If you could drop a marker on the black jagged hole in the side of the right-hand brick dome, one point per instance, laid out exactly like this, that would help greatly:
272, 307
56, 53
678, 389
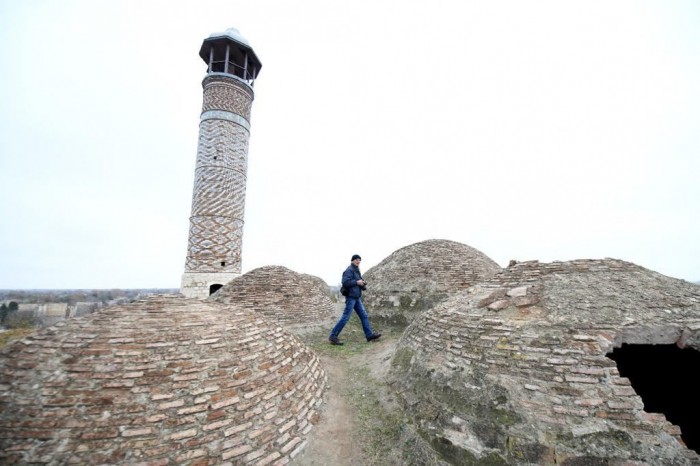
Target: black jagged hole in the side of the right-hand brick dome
663, 376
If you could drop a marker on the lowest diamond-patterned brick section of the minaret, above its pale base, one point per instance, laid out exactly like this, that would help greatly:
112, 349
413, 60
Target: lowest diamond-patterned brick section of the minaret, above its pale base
214, 240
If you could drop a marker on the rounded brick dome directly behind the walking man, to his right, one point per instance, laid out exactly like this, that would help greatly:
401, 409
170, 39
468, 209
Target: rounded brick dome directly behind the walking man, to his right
417, 277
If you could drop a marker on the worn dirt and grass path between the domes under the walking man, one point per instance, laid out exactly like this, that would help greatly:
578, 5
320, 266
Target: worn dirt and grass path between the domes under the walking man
361, 421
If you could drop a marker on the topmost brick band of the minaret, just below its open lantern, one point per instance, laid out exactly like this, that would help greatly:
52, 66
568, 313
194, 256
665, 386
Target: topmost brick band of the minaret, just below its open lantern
222, 93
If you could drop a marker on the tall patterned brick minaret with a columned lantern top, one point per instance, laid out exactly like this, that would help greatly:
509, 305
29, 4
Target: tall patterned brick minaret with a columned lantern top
218, 197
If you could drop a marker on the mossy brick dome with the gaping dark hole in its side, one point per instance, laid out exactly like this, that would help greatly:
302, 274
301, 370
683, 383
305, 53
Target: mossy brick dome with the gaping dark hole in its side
515, 370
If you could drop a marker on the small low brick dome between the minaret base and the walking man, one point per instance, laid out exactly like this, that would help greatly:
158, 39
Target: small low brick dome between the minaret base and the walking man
281, 295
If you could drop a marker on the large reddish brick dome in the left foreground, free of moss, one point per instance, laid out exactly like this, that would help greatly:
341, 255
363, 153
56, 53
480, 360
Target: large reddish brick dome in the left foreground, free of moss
166, 380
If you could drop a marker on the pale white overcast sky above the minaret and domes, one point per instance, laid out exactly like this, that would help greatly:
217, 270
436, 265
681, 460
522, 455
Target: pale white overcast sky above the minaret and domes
547, 130
